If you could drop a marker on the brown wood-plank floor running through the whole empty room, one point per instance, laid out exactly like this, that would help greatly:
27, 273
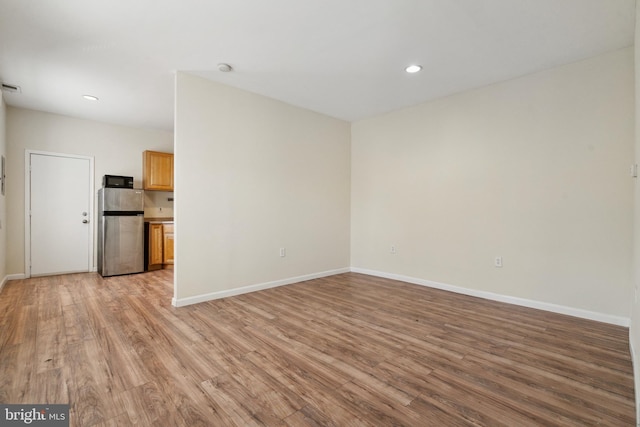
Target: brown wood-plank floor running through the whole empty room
344, 350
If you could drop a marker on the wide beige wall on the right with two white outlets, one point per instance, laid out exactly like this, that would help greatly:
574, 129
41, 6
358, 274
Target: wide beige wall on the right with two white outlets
534, 170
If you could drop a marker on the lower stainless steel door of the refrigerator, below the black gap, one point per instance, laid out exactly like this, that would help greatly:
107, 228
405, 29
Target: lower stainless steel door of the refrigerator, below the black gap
122, 245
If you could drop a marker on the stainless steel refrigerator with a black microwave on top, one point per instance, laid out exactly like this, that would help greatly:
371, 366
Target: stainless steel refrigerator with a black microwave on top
120, 231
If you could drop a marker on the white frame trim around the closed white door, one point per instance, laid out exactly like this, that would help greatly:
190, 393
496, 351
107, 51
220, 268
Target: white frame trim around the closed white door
27, 205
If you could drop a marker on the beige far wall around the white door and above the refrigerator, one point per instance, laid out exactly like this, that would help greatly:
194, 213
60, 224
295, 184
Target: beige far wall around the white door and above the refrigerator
116, 150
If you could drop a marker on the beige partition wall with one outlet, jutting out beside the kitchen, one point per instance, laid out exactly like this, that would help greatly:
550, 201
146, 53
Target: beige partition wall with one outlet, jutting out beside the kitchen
254, 175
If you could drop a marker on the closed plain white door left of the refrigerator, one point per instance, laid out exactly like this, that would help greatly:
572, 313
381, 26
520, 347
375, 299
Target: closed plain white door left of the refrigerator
60, 221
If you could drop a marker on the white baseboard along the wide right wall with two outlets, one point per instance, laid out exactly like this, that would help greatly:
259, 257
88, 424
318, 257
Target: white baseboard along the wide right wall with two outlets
555, 308
